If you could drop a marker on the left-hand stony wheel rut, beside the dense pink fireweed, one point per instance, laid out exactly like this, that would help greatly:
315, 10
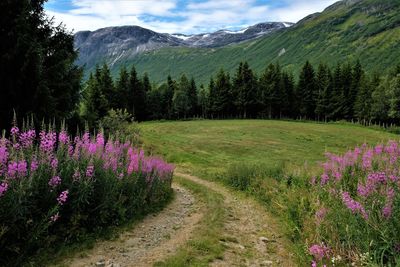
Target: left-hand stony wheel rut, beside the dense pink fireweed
152, 240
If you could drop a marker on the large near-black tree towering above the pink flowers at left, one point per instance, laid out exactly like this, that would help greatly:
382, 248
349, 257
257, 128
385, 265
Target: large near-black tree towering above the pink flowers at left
38, 74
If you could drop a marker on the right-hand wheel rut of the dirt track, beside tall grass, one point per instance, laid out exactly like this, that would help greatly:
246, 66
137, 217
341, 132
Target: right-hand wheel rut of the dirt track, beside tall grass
252, 237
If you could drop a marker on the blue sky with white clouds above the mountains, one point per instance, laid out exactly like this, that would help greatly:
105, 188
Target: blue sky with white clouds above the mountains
179, 16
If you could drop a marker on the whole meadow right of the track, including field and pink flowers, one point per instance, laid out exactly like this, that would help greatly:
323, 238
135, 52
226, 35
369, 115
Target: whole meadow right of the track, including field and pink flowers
293, 170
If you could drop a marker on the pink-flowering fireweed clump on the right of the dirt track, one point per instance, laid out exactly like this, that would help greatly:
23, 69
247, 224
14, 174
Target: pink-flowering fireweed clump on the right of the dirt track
358, 206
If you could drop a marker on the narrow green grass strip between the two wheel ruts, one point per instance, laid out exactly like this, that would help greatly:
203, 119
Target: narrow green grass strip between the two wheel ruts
204, 247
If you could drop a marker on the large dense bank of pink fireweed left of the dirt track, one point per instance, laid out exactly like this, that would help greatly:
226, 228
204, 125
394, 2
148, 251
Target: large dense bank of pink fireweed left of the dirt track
56, 191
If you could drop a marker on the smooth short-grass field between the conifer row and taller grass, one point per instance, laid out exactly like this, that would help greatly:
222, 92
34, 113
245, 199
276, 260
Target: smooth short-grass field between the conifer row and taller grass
206, 148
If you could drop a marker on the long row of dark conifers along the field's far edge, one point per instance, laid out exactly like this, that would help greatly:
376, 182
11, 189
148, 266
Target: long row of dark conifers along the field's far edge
322, 93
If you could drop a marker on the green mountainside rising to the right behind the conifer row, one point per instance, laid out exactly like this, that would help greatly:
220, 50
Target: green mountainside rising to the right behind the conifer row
368, 30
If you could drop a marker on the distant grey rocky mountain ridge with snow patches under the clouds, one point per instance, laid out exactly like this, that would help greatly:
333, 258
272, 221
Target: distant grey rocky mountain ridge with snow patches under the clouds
116, 44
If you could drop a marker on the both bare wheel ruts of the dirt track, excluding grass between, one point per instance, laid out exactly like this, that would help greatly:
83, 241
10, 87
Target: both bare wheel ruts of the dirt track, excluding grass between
250, 234
